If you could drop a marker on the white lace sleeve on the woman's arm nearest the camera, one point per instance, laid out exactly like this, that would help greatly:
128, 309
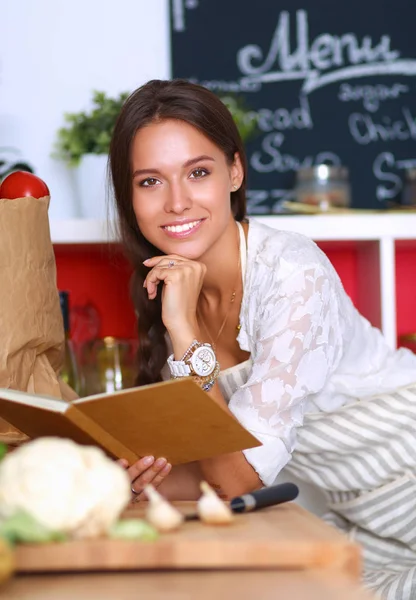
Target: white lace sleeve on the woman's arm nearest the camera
296, 345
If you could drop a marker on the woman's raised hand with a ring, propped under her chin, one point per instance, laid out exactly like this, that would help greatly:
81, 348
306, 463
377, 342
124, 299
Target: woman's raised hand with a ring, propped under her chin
182, 281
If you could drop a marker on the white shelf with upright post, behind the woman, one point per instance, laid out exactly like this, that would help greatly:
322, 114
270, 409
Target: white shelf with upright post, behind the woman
375, 234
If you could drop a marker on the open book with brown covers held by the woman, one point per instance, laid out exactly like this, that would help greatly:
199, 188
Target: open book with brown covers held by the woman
174, 419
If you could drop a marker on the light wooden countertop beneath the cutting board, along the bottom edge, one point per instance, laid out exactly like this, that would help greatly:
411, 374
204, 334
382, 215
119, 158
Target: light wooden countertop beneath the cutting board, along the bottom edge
200, 585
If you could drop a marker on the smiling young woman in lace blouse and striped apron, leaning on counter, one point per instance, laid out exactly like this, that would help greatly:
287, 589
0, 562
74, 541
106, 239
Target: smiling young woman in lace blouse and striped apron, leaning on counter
288, 354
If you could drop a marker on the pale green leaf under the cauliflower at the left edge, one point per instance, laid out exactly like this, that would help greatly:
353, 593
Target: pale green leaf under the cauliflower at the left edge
22, 528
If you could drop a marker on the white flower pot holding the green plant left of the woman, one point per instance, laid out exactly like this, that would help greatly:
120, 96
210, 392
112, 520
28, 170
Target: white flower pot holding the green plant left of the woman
93, 196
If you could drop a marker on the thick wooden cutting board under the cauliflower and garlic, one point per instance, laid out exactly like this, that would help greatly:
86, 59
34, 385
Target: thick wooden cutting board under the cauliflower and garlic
285, 537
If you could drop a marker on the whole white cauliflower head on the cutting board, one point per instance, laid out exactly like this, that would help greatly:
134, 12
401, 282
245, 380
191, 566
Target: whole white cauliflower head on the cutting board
65, 486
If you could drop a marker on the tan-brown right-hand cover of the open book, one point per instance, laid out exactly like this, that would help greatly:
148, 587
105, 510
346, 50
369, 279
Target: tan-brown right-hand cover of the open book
173, 419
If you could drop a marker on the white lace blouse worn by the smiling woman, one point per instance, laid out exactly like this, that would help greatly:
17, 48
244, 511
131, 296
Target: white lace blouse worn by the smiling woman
310, 348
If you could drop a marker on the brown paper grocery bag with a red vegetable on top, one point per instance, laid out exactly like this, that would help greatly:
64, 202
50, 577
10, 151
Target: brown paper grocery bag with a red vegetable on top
31, 326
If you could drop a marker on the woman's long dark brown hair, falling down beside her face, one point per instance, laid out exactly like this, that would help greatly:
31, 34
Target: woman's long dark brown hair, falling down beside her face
156, 101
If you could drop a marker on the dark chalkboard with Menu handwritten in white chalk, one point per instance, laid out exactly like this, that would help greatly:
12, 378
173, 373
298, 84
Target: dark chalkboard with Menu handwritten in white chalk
331, 82
